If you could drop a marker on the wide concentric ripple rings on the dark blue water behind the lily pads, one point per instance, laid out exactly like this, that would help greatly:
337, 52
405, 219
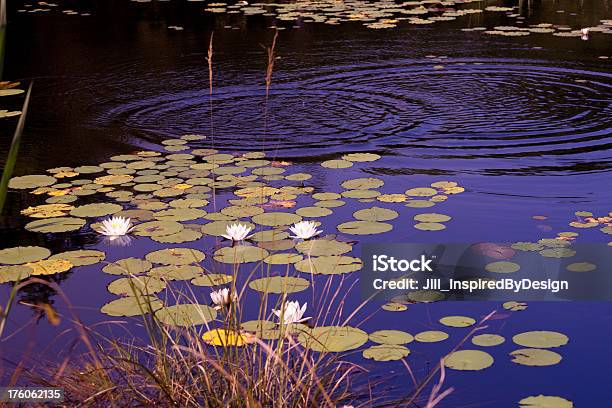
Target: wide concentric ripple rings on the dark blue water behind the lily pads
468, 113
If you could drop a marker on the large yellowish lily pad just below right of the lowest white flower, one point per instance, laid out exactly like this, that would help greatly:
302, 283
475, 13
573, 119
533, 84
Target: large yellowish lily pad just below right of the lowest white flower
333, 338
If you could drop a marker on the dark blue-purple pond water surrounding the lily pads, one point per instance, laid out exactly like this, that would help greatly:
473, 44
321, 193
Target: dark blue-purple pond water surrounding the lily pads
521, 122
